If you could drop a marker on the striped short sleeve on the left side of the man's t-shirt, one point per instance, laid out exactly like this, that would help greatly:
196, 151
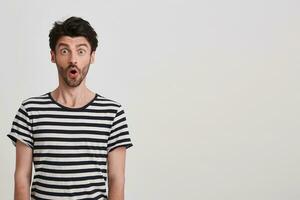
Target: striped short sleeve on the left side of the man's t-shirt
21, 128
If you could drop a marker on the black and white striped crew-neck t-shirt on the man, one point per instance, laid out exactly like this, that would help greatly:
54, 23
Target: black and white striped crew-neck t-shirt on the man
70, 145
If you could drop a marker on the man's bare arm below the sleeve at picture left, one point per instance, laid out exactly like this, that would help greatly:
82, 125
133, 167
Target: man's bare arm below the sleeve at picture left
23, 171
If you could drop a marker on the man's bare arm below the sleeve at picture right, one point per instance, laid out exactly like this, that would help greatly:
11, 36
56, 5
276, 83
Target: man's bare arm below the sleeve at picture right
116, 173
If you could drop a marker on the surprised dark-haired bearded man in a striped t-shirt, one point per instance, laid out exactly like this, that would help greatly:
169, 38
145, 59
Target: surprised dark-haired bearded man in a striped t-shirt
75, 138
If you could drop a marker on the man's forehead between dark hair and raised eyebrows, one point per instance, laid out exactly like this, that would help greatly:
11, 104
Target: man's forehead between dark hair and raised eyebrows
72, 41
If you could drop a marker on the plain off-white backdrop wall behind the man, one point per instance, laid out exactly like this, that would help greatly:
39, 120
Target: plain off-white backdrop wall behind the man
210, 88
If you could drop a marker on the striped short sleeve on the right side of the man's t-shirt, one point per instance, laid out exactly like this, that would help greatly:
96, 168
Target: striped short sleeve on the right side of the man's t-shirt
119, 134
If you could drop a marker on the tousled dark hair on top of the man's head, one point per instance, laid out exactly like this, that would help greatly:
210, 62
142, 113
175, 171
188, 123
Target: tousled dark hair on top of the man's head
73, 27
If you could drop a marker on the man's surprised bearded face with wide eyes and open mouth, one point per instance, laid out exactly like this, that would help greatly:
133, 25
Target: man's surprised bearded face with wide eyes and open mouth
72, 57
